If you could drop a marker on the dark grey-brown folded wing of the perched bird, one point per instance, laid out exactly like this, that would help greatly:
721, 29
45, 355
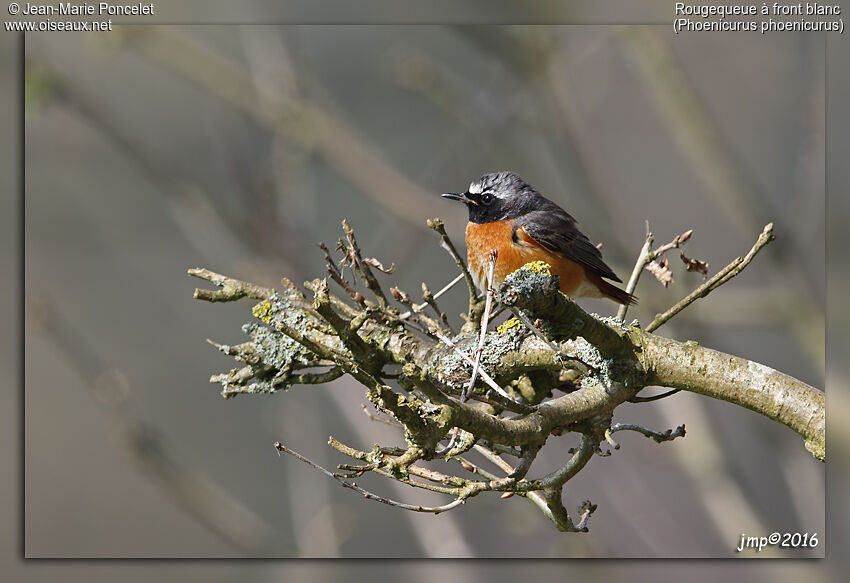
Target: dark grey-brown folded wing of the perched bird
556, 230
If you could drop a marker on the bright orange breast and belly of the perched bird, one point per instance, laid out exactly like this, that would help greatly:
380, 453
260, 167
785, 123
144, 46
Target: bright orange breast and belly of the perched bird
498, 235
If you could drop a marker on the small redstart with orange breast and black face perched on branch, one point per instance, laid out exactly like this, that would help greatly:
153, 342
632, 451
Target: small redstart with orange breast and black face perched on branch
508, 215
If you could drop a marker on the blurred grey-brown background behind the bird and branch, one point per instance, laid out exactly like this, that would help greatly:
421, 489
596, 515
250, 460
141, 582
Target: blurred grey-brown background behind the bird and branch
154, 149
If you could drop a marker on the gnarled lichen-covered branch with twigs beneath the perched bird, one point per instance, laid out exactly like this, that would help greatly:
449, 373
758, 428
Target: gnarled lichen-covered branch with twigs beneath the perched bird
556, 370
